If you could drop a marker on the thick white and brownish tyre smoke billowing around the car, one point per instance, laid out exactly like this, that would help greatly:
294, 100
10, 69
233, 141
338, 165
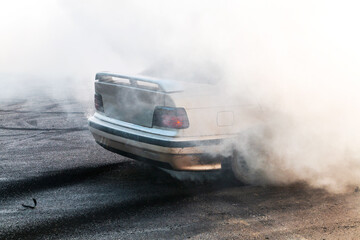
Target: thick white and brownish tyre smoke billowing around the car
298, 59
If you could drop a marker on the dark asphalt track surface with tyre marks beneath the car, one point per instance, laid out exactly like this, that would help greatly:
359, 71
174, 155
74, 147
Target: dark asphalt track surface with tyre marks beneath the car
85, 192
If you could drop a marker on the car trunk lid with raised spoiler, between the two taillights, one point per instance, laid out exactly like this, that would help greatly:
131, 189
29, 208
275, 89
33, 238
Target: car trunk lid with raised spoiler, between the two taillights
133, 99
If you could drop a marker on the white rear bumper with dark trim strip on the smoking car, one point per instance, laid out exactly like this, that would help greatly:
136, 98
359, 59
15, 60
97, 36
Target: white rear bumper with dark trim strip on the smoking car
187, 154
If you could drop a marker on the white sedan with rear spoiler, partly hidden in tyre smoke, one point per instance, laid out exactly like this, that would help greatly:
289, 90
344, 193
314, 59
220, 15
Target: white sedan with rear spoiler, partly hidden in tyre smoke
185, 126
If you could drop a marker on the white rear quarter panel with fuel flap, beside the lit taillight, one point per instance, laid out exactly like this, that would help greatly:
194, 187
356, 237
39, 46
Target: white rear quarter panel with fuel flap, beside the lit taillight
214, 114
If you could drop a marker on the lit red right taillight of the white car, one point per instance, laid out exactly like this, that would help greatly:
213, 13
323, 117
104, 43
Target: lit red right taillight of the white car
170, 117
